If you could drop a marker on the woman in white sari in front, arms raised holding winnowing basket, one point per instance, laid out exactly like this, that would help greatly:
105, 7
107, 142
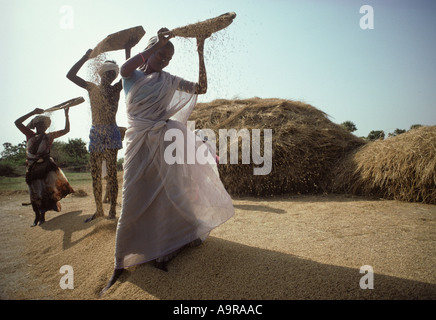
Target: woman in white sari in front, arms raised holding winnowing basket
169, 201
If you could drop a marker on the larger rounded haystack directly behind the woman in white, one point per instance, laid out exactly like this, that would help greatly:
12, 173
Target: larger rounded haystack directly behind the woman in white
305, 144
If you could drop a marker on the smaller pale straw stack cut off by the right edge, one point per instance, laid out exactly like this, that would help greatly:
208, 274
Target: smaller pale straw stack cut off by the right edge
400, 168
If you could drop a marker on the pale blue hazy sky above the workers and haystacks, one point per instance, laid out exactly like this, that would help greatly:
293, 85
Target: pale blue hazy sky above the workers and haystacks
313, 51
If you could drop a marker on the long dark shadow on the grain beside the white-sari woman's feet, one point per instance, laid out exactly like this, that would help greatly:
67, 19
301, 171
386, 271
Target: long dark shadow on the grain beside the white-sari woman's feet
243, 272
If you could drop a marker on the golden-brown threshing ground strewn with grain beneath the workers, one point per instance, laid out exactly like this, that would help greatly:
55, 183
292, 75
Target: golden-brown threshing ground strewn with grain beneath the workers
288, 247
